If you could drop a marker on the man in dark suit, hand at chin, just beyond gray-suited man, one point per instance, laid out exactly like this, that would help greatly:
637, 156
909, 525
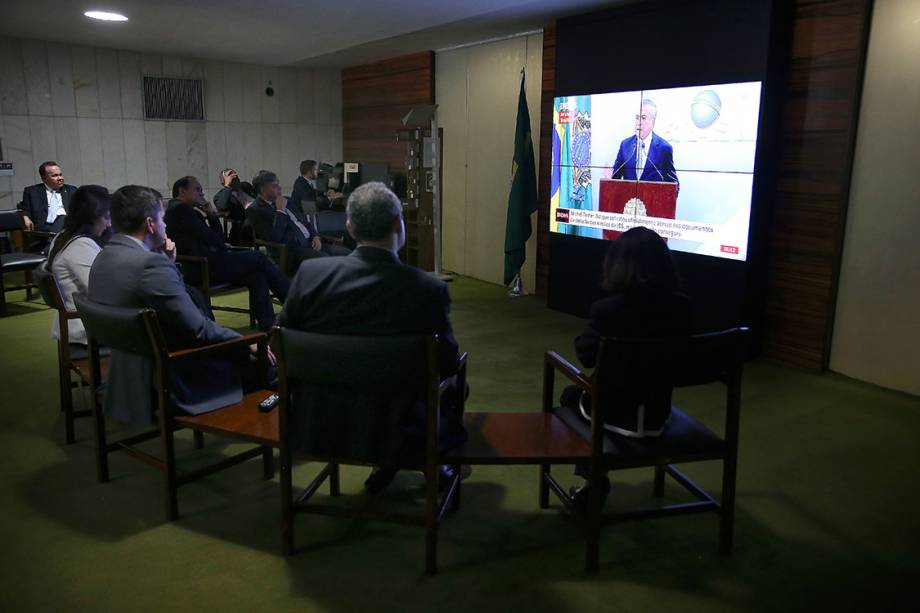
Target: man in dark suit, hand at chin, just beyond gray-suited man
192, 224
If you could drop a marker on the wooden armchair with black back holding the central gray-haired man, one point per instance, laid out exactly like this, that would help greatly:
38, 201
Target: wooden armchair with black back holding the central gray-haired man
369, 373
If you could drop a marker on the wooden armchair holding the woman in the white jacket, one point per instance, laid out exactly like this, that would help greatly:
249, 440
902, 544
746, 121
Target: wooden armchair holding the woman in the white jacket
73, 359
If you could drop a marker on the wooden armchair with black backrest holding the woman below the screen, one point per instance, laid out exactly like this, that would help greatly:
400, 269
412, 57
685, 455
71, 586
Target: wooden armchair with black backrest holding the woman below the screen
642, 368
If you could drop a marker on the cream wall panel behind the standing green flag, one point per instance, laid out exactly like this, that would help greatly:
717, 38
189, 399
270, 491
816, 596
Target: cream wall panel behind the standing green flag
477, 95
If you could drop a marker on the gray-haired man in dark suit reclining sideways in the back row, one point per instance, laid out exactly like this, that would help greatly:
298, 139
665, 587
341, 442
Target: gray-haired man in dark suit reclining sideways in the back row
274, 221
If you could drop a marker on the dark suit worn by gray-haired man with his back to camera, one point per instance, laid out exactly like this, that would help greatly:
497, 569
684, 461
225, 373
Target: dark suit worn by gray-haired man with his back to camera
371, 293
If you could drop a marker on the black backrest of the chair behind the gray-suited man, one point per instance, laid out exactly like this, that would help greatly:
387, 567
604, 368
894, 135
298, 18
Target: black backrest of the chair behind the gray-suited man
120, 328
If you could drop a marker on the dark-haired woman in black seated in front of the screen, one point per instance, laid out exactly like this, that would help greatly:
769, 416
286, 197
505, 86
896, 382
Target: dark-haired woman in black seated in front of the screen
645, 301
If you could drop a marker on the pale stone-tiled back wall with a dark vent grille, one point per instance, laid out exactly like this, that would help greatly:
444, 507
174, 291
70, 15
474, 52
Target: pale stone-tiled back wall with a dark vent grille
82, 107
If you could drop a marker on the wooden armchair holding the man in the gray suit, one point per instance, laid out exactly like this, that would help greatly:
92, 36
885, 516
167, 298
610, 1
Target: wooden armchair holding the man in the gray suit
137, 332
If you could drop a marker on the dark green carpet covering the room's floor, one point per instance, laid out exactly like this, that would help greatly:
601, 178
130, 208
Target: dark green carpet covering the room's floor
826, 487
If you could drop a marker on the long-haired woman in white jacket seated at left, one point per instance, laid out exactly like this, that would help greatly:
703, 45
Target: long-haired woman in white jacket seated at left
75, 248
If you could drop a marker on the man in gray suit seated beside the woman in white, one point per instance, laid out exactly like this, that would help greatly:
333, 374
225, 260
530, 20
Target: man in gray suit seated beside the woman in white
137, 269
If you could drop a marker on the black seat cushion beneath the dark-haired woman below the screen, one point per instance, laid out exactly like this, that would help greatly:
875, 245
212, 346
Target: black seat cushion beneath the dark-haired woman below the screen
685, 439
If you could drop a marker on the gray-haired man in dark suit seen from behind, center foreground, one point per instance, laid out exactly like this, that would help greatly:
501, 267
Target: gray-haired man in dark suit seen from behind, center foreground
371, 292
